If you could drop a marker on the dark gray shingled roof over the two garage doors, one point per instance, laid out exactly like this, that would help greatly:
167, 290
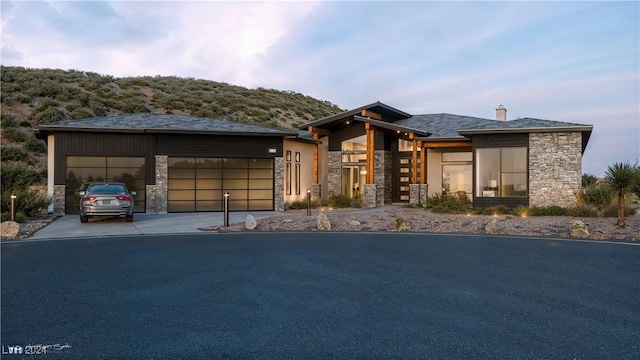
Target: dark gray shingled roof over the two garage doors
155, 123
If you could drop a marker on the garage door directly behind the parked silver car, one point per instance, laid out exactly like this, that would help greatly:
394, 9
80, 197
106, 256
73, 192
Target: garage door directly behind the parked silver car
82, 170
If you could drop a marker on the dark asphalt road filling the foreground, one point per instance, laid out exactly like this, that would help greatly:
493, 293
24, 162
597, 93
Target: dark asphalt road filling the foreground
321, 296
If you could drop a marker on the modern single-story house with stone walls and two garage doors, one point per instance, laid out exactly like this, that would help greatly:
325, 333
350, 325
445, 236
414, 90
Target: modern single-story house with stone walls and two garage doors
375, 152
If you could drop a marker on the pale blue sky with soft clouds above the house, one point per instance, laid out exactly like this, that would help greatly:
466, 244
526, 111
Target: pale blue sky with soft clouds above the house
567, 61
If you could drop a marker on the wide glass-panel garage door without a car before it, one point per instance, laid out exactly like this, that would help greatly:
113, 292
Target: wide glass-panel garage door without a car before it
197, 184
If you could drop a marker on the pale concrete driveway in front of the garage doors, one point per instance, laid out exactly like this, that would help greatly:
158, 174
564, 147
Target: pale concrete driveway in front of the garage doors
69, 226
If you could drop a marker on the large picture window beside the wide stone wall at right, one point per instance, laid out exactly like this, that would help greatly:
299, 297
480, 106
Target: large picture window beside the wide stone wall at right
501, 172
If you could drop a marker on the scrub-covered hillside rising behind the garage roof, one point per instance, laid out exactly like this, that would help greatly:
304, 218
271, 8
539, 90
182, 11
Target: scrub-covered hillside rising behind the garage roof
31, 97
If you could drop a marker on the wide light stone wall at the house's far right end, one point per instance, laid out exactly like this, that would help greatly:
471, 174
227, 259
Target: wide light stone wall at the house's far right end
555, 168
